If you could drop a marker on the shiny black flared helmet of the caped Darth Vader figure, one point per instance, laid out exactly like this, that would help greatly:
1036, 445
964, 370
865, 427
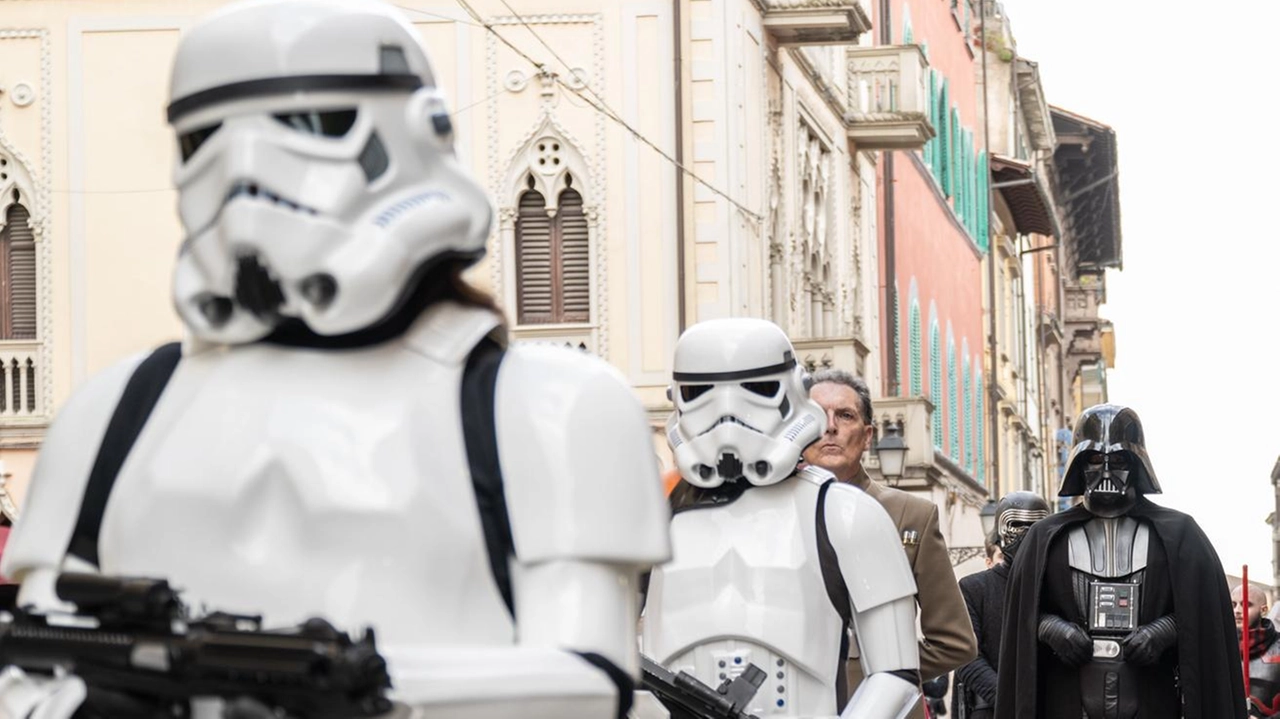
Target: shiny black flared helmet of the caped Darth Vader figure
1109, 462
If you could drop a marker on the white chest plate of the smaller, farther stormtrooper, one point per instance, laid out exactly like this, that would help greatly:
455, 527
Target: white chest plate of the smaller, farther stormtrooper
746, 588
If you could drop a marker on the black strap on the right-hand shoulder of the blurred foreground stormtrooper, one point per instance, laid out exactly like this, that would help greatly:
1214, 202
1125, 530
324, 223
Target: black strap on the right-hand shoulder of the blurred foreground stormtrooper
481, 434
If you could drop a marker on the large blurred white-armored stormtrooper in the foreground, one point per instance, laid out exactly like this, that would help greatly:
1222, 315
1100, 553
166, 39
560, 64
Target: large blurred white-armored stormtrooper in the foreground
346, 433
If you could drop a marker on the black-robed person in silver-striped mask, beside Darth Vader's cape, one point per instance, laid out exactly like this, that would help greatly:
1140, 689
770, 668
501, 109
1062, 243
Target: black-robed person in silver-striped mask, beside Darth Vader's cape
975, 695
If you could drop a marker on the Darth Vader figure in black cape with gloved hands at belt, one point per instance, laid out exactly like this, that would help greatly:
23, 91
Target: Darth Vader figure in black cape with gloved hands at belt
1118, 608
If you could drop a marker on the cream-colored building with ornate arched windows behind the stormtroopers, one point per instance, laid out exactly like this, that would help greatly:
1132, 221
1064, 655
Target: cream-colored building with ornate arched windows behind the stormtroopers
574, 115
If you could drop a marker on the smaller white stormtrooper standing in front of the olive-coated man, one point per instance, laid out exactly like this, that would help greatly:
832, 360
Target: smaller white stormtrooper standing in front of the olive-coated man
774, 566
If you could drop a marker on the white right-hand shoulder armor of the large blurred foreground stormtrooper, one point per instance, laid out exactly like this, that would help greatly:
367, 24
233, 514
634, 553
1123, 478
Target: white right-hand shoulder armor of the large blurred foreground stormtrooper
580, 475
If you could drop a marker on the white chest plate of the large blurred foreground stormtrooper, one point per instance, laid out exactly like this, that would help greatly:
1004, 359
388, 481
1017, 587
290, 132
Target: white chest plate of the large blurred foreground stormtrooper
300, 483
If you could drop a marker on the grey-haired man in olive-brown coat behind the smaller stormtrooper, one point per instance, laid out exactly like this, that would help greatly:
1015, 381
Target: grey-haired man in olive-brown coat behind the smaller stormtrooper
949, 642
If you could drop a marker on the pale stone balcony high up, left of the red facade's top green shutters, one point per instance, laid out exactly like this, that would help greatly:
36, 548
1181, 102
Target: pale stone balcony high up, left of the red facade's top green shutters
889, 99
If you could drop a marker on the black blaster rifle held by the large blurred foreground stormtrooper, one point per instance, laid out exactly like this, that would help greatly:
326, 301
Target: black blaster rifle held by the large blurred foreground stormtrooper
141, 657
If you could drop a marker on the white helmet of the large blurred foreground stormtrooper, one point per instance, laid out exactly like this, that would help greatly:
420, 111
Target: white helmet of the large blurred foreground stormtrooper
317, 177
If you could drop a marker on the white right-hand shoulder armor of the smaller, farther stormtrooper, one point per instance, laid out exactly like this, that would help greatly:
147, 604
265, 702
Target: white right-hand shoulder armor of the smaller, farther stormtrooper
868, 548
